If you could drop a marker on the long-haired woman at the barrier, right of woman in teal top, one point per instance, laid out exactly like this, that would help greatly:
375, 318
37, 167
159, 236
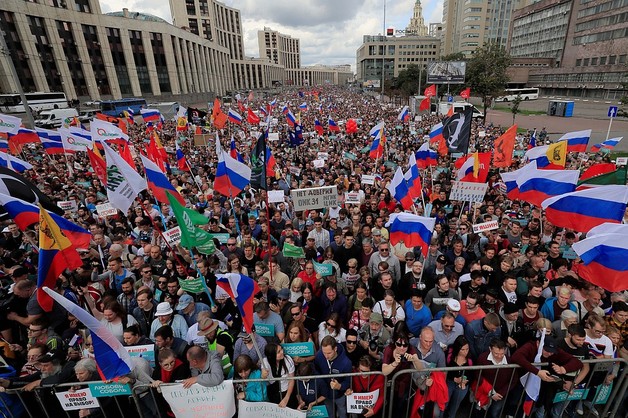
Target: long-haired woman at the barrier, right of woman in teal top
277, 364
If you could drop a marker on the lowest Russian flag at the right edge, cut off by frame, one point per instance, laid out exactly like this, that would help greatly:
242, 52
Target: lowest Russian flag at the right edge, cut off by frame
604, 257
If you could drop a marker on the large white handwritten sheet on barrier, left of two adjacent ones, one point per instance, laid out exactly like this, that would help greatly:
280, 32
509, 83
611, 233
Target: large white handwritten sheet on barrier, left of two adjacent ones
199, 401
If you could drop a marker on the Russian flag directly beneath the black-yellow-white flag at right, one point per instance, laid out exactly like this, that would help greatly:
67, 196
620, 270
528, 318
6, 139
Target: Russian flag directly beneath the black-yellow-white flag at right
537, 185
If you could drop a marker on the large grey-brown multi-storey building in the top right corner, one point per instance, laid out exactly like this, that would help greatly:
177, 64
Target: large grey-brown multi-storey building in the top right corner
590, 50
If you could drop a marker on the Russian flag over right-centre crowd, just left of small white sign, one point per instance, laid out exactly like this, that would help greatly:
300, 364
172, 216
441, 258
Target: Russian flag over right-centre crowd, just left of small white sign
413, 230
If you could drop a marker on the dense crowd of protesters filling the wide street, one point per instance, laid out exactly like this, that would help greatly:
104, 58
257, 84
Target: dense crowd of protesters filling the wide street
485, 298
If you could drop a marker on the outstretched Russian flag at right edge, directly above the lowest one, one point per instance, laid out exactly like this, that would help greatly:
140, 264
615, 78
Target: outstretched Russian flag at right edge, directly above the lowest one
585, 209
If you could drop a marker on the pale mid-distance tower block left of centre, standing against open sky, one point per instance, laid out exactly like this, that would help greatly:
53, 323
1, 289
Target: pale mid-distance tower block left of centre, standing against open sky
279, 49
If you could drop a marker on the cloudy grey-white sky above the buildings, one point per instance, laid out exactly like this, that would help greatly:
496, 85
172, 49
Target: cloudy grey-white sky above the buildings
330, 30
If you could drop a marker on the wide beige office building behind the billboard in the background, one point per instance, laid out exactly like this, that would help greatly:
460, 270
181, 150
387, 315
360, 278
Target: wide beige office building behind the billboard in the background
392, 54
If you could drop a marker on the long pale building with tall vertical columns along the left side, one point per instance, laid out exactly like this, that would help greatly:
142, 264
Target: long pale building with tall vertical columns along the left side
71, 46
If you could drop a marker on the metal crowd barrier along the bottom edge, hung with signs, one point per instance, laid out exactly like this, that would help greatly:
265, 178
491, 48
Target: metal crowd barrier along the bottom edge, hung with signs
407, 393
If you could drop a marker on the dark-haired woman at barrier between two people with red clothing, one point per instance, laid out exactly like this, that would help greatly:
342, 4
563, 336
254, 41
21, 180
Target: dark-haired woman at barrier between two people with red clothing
458, 358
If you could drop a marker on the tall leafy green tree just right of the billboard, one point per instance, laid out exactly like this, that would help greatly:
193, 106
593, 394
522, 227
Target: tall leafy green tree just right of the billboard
486, 72
